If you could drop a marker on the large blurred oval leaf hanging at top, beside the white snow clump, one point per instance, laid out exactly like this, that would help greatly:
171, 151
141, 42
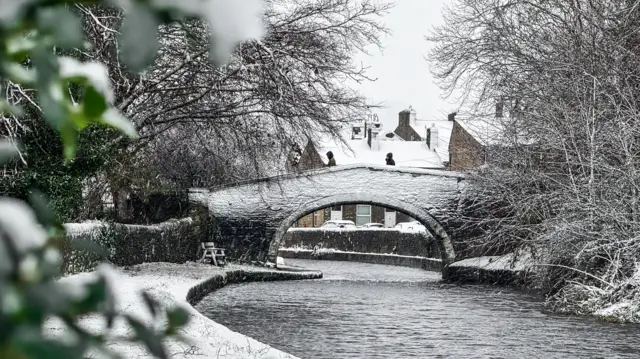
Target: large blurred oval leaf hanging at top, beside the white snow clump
139, 39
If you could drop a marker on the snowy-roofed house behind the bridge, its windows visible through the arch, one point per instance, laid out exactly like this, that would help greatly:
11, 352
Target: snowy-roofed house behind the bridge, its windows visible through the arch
365, 142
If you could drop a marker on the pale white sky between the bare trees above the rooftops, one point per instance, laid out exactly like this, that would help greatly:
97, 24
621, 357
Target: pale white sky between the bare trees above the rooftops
402, 73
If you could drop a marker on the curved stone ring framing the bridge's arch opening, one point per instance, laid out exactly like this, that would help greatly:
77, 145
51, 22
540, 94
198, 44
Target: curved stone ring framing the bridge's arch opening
433, 226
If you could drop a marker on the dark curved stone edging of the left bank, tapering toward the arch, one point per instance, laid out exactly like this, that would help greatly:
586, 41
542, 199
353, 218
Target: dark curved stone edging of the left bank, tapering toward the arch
220, 280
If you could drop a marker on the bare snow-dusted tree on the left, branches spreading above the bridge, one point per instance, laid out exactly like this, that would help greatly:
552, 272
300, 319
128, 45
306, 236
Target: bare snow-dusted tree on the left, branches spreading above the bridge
201, 124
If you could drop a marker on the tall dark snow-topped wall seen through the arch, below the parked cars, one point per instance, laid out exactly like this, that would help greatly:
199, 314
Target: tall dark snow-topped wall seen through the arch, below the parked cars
364, 241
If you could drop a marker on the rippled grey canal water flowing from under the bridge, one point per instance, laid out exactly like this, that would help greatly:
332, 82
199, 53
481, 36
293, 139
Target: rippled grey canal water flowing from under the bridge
373, 311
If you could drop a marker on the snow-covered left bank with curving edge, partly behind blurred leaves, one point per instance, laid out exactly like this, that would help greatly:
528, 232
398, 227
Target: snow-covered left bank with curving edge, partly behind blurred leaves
170, 284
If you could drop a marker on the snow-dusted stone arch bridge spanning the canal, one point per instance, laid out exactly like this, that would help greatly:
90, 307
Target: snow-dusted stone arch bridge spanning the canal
252, 217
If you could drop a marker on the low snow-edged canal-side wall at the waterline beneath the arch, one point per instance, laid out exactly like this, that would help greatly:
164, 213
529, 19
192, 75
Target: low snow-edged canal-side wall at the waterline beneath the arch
431, 264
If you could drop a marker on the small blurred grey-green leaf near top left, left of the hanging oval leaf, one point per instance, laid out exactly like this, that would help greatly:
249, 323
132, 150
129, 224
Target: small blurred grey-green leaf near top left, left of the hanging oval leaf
65, 26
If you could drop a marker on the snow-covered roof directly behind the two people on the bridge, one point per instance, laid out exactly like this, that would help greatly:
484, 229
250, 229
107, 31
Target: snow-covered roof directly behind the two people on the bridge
405, 153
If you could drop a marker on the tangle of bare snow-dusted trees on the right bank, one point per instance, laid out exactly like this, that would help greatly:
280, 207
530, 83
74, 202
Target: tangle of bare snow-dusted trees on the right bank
568, 72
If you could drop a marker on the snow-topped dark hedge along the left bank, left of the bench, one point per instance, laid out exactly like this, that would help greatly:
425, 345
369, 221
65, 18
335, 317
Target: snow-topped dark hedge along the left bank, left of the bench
174, 241
